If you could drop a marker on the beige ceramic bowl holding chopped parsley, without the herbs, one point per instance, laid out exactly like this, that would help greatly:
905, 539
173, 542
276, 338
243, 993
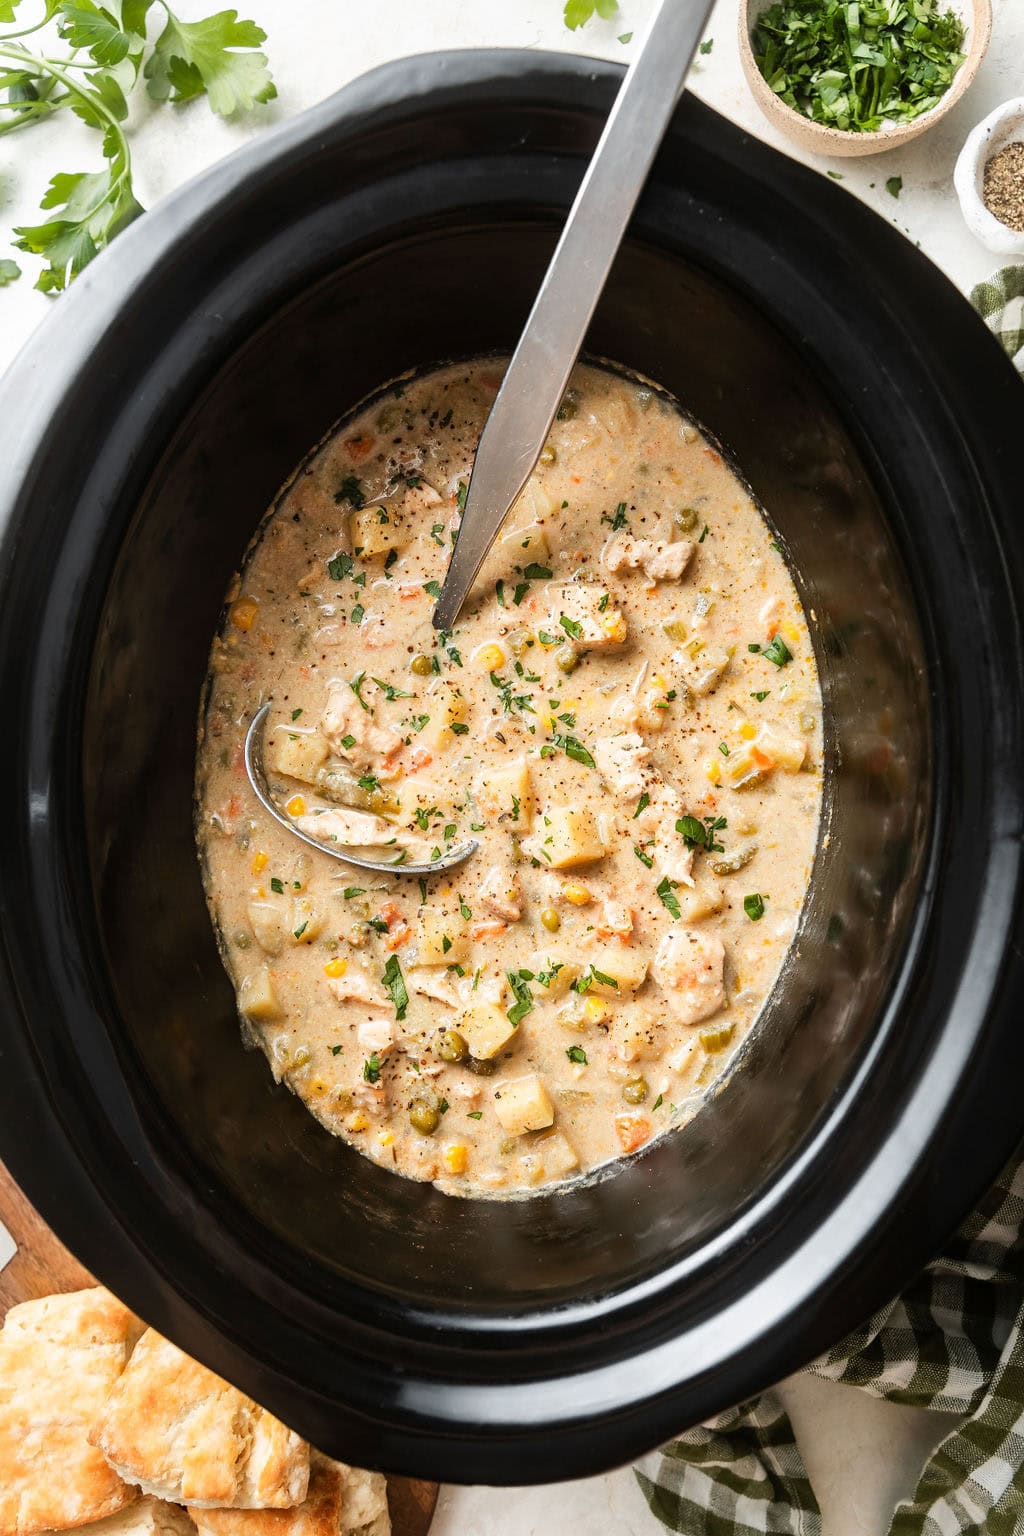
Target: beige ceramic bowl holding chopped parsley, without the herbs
822, 141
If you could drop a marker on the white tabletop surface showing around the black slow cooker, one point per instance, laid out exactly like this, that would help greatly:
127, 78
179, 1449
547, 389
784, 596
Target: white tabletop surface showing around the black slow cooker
862, 1455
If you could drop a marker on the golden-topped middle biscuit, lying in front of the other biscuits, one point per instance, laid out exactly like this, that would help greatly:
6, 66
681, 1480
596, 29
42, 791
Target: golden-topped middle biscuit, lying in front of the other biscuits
185, 1435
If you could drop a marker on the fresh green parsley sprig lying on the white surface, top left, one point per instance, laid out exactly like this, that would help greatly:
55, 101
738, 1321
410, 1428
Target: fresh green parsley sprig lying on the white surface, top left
217, 58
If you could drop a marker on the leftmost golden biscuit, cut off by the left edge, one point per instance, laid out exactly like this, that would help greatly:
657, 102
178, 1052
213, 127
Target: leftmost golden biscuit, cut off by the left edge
59, 1360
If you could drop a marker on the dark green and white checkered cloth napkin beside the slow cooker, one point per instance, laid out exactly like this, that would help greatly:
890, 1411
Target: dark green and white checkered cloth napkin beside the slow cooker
954, 1342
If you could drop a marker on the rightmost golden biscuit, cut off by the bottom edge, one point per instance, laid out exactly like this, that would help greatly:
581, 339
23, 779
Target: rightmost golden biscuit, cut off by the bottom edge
342, 1501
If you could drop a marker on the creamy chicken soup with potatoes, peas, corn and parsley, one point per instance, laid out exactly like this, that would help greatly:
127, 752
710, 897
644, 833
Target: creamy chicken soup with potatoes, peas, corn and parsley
627, 720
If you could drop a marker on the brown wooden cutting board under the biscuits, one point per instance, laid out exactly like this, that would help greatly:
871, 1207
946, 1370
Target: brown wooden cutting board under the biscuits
44, 1266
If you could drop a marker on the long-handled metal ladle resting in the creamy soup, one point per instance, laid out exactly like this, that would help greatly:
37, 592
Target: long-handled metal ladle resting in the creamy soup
535, 383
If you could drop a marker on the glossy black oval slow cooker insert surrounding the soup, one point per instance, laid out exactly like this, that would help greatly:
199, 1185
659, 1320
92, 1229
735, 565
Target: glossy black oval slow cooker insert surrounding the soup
406, 222
